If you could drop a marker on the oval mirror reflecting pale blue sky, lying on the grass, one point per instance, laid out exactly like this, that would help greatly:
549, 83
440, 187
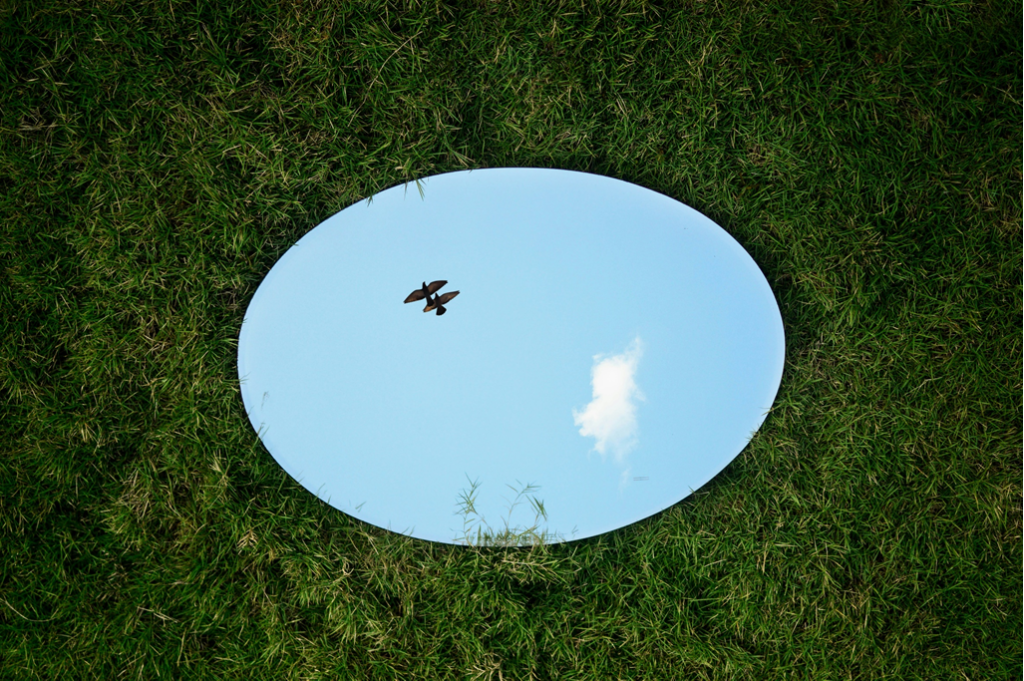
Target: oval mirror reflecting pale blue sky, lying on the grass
610, 352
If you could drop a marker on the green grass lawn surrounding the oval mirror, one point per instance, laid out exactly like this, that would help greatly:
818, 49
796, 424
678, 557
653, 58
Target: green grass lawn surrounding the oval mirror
157, 158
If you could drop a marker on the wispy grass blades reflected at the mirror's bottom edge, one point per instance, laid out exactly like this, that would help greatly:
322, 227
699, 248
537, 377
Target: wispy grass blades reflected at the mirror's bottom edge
478, 532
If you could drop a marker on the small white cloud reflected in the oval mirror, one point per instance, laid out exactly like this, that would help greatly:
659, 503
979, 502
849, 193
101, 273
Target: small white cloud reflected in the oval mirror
611, 417
